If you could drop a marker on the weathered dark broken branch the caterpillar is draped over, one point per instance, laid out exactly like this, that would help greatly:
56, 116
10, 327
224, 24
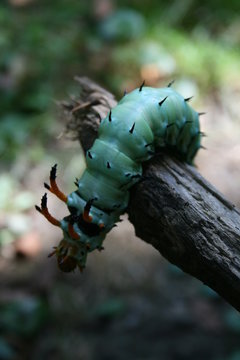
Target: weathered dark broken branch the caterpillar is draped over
173, 207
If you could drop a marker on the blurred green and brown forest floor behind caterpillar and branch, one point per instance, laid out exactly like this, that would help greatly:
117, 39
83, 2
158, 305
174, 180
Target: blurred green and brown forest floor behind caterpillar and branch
129, 303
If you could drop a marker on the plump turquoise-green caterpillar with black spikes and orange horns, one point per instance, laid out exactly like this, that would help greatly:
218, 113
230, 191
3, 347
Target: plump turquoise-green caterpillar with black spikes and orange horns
143, 120
